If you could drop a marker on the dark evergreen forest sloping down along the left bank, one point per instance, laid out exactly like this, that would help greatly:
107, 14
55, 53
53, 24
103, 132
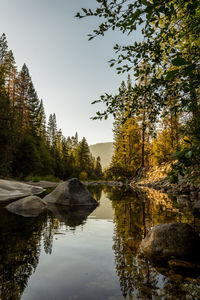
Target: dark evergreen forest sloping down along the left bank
29, 145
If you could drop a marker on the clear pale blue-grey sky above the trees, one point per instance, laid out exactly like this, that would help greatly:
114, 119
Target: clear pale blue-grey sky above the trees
67, 70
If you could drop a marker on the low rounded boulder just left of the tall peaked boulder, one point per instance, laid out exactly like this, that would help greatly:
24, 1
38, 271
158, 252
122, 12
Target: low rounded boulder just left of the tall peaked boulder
30, 206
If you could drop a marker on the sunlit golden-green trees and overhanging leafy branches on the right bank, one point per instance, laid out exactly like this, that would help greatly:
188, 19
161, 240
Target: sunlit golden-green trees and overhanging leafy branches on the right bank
157, 111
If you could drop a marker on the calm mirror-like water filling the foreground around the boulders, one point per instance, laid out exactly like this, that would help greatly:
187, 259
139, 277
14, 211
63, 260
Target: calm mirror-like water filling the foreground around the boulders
87, 254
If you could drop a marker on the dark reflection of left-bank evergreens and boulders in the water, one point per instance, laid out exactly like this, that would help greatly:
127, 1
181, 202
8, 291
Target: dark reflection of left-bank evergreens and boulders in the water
21, 241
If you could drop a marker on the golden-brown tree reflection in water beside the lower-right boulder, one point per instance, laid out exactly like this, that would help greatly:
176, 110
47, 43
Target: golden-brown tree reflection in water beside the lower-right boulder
134, 215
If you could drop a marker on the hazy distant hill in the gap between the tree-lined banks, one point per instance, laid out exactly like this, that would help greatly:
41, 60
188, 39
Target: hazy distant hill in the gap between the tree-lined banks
105, 151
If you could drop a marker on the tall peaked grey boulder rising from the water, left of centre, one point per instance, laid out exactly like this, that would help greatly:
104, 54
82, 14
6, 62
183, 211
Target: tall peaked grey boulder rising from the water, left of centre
71, 192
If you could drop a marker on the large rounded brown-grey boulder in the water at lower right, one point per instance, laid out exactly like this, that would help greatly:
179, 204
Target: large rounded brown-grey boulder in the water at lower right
175, 240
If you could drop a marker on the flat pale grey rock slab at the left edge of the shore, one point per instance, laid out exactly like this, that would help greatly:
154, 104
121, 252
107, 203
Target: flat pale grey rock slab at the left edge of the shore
14, 189
